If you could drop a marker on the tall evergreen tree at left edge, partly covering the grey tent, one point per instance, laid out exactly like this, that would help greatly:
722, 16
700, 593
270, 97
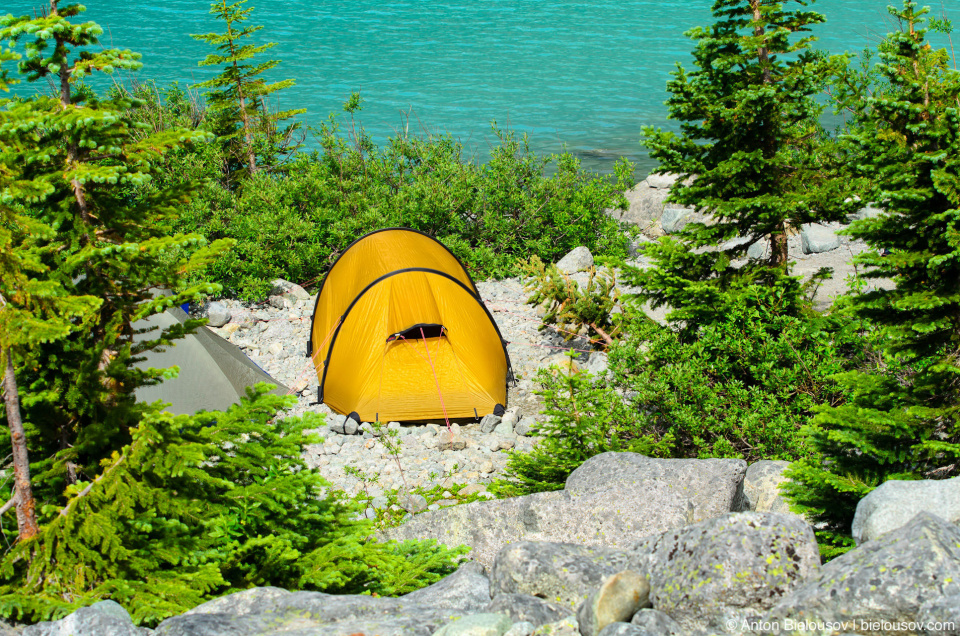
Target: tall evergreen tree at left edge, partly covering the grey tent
82, 174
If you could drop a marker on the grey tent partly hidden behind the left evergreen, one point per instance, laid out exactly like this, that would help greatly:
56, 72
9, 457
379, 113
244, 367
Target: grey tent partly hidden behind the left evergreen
214, 373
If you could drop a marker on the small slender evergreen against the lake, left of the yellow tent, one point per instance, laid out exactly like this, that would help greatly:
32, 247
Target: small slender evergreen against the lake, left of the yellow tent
239, 92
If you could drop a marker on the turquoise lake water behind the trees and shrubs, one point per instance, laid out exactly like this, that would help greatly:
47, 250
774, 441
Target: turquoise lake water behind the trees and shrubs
582, 74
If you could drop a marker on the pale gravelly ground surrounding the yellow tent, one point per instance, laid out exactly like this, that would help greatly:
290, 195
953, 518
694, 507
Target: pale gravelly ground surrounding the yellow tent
274, 335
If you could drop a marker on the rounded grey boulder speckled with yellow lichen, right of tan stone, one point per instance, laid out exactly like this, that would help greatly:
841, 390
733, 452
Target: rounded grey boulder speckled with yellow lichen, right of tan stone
728, 569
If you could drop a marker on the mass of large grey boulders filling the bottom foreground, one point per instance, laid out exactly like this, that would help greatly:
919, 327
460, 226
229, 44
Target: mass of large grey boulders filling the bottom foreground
633, 546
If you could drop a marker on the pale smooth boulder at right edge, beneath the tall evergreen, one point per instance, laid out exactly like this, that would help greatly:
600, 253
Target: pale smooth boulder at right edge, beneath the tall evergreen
894, 503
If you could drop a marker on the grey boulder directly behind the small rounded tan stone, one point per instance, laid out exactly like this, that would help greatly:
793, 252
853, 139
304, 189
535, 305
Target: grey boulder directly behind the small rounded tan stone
561, 573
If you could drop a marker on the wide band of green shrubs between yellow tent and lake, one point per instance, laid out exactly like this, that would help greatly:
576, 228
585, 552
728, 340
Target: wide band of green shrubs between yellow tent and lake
293, 223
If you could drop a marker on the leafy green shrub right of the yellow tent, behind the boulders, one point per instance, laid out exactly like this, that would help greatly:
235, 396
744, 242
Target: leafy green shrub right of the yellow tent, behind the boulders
741, 386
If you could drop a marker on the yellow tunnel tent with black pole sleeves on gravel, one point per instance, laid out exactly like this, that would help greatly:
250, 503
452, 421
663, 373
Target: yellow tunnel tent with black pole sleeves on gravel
400, 333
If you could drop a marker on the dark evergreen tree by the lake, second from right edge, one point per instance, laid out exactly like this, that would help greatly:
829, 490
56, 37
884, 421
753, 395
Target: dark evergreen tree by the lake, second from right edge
747, 152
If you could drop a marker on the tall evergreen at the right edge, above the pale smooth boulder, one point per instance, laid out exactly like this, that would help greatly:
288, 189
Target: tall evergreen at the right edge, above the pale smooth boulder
903, 420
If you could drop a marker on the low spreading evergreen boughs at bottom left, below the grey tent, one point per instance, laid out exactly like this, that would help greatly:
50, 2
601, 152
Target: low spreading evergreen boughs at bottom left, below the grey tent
195, 507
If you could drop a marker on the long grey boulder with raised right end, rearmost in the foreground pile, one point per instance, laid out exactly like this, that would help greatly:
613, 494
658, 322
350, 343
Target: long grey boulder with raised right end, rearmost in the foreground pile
613, 499
